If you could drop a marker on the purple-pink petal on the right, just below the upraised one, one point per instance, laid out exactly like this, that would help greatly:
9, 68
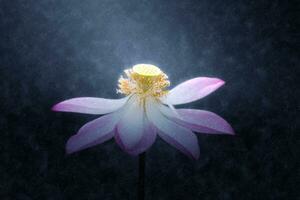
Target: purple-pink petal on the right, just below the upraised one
204, 121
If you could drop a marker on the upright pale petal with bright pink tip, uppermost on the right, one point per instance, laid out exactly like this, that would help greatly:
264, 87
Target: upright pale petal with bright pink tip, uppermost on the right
192, 90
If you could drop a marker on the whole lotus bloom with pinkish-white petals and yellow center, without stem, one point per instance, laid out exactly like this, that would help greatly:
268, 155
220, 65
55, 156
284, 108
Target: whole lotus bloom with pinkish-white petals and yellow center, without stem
147, 111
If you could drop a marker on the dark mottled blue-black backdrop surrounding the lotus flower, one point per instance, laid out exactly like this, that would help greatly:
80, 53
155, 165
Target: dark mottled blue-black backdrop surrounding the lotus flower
53, 50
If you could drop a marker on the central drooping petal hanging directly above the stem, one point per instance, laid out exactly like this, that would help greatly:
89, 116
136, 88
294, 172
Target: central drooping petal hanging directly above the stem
133, 128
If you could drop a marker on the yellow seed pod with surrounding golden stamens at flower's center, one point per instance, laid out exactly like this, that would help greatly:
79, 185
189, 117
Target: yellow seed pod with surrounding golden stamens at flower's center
144, 80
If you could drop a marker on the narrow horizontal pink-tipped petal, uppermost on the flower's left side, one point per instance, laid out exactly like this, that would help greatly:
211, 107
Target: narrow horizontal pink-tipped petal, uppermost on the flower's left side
90, 105
